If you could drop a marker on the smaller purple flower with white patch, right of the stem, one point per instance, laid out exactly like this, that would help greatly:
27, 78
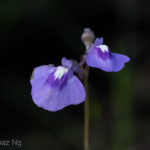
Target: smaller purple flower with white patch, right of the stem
100, 56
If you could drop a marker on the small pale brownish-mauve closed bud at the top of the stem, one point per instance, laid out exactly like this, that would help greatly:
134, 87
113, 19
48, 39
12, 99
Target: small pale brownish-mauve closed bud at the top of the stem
87, 37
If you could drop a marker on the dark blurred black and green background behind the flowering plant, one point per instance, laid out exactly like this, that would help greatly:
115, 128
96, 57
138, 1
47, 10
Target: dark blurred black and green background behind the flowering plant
38, 32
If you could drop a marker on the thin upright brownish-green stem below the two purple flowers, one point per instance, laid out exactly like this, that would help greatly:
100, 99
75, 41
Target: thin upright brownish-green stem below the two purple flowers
86, 111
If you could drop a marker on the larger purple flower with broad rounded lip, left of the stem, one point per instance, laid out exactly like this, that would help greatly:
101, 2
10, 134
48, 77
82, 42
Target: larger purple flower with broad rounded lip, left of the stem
54, 88
